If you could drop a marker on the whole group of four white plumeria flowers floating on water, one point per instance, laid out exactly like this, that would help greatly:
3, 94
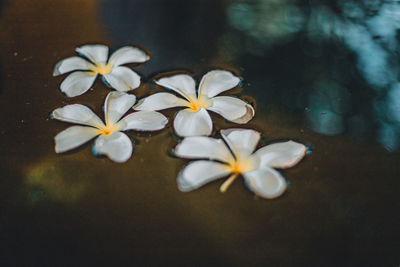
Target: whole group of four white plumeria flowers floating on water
232, 155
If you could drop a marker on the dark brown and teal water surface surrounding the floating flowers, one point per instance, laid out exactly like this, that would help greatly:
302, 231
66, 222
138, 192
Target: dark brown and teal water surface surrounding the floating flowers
324, 73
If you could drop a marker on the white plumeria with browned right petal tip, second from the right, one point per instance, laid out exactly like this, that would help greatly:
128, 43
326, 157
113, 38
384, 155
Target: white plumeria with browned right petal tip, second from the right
194, 119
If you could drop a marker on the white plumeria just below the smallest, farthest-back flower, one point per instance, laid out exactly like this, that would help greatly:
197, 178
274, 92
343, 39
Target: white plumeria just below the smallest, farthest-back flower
111, 141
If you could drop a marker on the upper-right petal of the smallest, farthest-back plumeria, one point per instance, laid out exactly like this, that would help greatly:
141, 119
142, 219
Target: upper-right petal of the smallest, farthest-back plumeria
127, 54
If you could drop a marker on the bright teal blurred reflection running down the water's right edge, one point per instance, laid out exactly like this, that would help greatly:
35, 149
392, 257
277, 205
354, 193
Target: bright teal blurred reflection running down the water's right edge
369, 30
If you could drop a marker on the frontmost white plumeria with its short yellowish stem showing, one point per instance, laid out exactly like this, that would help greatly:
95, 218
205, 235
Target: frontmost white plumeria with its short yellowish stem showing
256, 168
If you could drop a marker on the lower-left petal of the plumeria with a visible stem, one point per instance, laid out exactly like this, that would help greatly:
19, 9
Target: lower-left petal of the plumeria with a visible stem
200, 172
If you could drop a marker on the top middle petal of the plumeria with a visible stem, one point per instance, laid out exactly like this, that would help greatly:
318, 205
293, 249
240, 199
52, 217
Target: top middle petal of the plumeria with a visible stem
241, 141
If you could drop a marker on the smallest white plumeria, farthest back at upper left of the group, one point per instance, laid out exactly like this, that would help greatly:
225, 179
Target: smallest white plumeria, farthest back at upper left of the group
118, 77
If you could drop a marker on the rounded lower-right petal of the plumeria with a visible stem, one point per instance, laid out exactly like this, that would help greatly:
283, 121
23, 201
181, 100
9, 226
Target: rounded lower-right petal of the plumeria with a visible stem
266, 183
